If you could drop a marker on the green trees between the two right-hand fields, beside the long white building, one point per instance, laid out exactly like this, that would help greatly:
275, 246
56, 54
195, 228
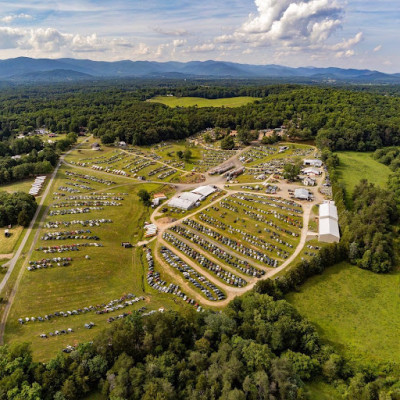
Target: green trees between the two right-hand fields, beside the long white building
368, 220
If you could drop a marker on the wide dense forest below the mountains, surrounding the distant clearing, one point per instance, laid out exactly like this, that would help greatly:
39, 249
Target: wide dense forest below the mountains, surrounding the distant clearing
338, 119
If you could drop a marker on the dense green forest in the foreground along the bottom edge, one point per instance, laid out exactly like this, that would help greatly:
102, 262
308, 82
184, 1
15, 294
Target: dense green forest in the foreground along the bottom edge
258, 348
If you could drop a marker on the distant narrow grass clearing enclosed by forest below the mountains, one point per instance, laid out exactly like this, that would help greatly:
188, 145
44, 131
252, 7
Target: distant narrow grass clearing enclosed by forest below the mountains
199, 102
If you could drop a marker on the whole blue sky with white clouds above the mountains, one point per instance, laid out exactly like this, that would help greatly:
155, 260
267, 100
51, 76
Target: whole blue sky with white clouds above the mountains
343, 33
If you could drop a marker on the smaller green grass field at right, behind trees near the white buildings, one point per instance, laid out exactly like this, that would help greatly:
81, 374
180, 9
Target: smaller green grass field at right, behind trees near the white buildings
355, 166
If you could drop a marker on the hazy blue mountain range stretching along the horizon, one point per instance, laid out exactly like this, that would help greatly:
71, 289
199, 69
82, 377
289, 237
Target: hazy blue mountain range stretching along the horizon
24, 69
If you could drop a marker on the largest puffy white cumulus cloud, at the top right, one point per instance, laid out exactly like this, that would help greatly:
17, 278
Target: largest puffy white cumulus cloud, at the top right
293, 26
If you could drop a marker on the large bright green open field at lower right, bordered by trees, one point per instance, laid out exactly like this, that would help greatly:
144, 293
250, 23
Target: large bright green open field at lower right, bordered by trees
355, 310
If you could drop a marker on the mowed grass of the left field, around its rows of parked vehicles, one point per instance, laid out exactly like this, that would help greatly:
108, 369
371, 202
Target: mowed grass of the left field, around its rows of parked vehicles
109, 273
